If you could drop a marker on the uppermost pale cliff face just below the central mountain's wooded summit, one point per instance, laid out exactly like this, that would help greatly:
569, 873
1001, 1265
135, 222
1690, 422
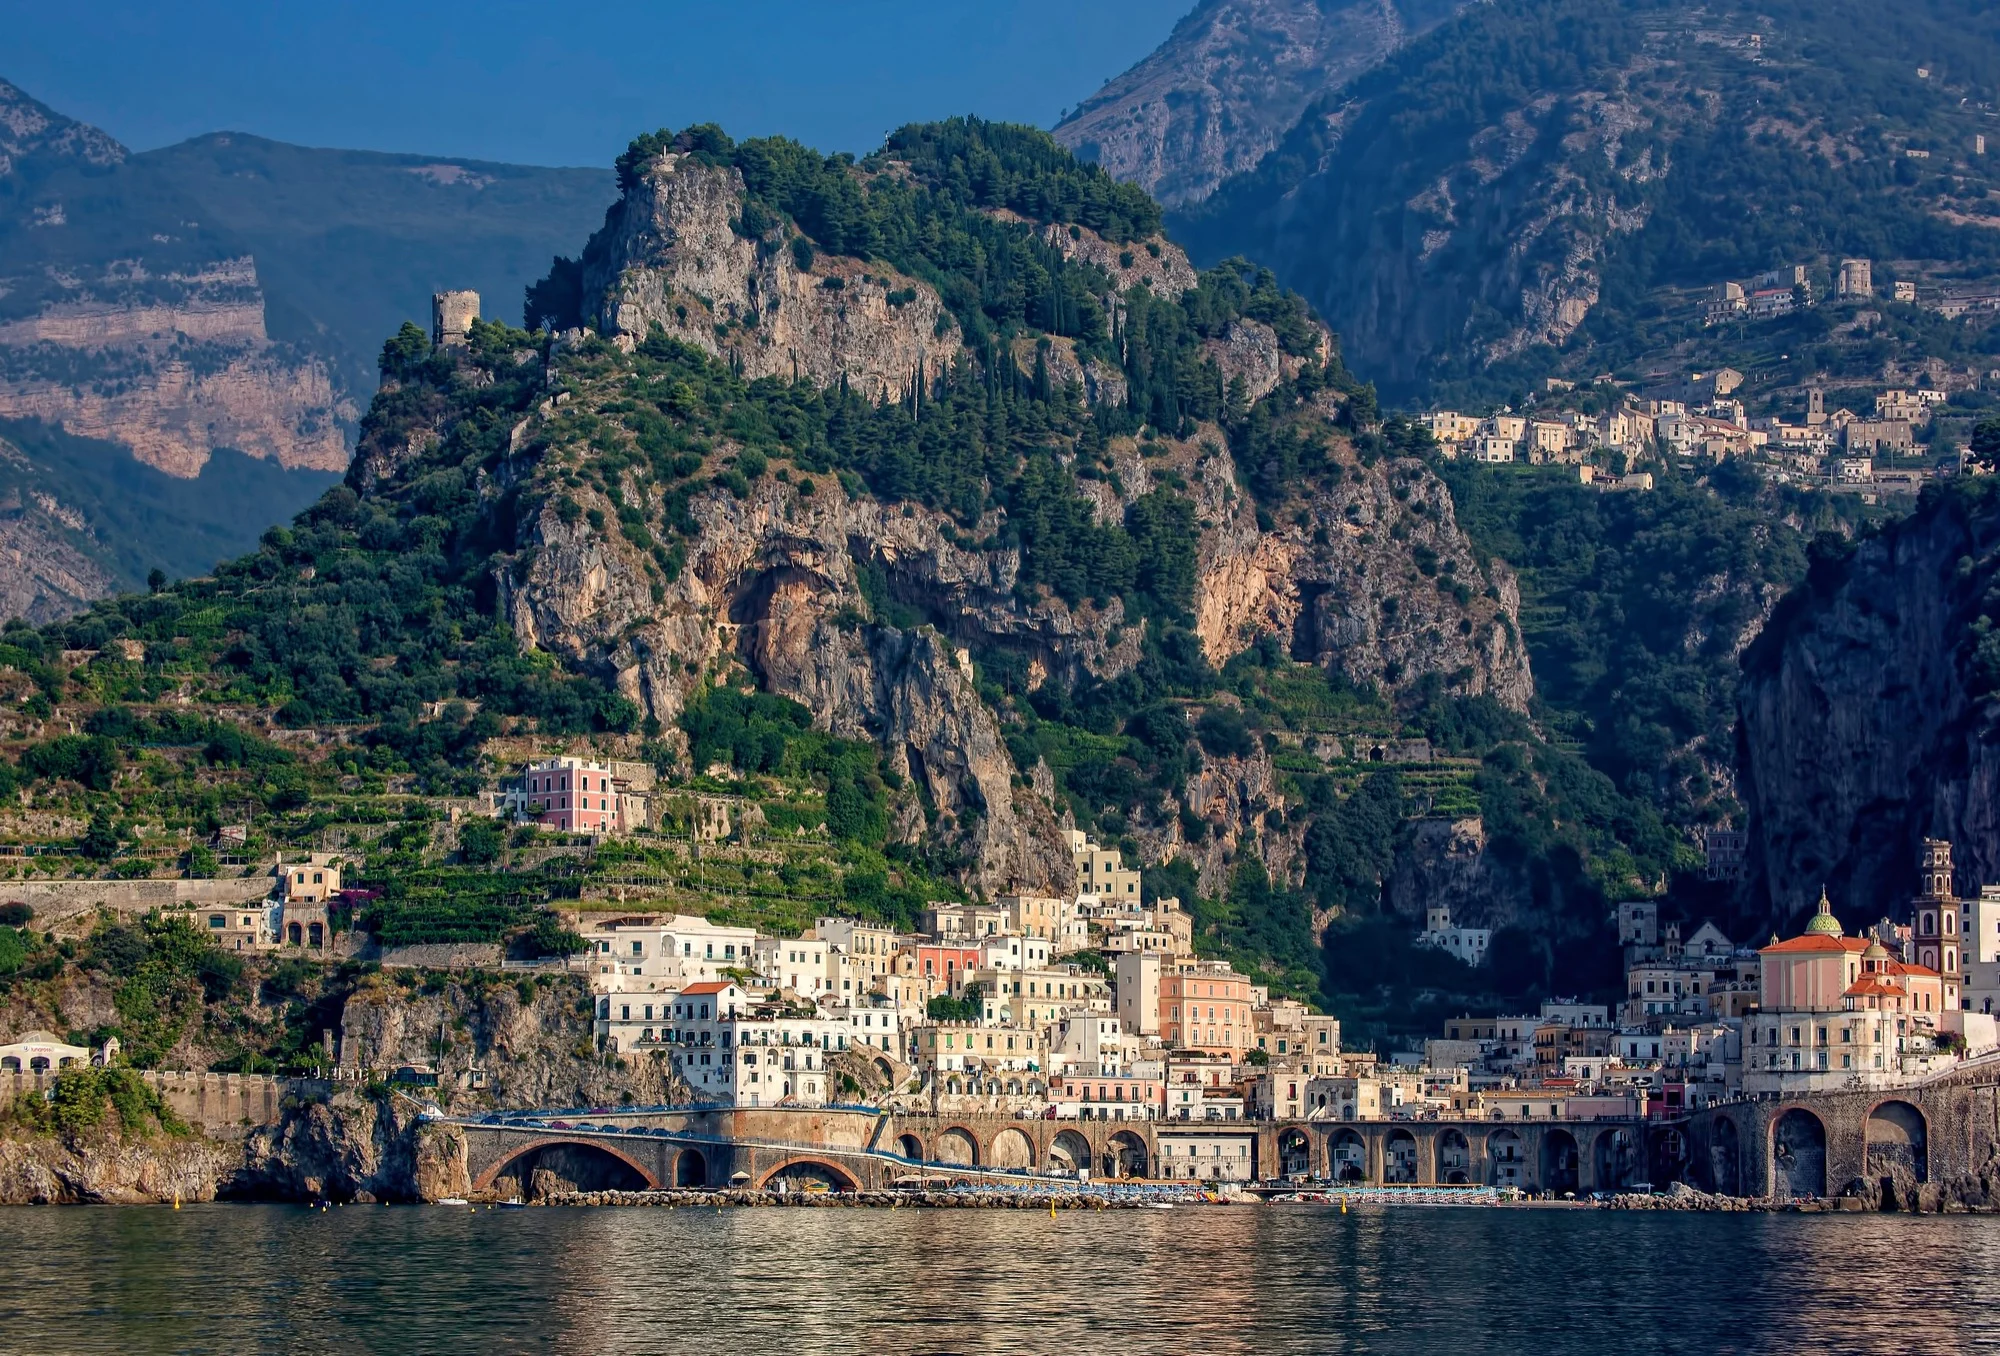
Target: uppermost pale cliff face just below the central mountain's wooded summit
675, 255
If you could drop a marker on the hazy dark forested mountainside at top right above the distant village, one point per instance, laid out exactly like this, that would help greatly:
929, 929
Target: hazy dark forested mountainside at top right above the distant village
1549, 185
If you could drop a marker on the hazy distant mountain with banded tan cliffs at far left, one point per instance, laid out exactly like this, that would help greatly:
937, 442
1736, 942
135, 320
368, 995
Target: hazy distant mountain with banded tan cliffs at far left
227, 295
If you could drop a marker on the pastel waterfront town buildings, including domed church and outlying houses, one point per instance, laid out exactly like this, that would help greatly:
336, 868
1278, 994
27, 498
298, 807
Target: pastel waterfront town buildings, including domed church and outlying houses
1099, 1007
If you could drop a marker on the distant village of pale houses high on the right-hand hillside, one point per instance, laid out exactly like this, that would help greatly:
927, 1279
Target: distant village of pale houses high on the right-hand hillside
1875, 443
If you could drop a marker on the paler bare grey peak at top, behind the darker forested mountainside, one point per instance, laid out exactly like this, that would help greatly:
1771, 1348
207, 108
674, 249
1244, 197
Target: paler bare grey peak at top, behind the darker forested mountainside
1229, 83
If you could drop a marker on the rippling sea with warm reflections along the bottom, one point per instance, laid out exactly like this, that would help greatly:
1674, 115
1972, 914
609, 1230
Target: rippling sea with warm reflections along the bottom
1275, 1279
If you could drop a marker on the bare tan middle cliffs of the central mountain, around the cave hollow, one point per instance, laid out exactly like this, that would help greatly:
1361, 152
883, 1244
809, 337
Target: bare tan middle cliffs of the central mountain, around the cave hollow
773, 581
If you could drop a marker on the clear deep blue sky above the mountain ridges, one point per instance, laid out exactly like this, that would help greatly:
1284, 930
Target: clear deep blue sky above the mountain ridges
559, 83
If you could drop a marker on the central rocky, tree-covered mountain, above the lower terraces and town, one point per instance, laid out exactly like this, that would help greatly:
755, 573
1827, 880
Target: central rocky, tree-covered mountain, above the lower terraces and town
929, 559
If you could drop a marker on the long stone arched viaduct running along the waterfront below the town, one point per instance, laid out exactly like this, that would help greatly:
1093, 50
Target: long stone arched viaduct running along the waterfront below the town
1821, 1145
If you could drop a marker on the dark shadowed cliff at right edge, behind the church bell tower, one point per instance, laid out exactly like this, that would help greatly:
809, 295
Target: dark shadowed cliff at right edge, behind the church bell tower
1869, 719
